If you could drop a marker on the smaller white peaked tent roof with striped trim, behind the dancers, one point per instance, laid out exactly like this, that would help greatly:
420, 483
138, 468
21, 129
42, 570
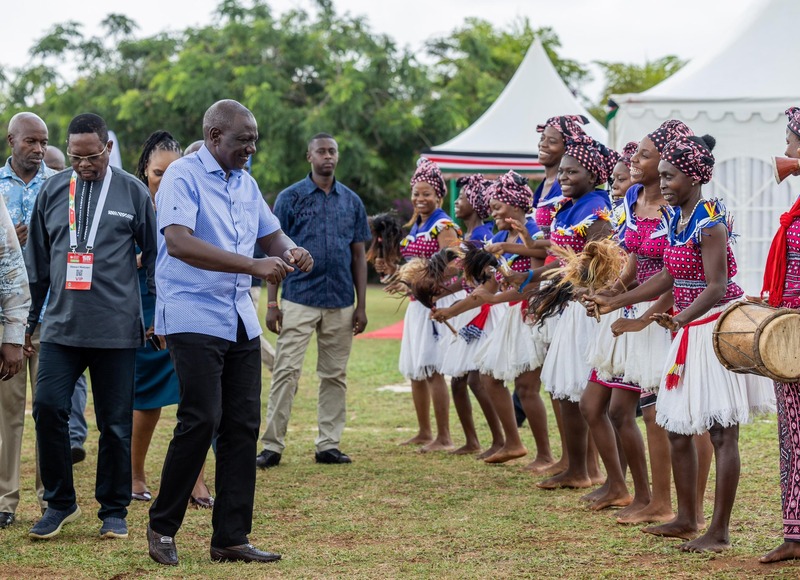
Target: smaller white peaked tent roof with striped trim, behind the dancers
505, 137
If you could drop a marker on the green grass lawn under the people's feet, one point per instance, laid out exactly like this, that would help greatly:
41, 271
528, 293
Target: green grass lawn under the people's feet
397, 513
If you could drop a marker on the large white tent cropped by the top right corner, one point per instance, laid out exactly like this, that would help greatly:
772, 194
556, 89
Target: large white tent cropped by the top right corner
738, 95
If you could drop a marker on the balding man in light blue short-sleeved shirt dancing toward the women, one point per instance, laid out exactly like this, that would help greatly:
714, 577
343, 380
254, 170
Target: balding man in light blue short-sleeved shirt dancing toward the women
210, 216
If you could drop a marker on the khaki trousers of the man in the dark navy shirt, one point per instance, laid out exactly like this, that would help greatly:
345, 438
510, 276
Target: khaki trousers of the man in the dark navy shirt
334, 328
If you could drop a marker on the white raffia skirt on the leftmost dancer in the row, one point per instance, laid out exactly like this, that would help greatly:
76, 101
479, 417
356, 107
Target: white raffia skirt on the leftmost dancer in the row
424, 341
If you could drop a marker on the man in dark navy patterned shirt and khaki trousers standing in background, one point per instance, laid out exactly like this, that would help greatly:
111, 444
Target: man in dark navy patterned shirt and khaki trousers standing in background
329, 220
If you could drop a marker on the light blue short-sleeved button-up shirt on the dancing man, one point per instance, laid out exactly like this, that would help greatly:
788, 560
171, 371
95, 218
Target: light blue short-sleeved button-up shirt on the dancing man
229, 214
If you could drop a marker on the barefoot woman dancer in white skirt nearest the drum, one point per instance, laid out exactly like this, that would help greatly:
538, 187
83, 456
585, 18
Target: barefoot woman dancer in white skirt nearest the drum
697, 393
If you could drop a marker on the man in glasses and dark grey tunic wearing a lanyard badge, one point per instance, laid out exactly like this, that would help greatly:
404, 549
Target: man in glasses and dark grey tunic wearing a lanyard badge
83, 230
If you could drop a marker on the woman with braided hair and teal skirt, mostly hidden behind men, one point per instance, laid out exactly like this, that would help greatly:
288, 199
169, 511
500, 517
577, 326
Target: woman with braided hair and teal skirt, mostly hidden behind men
155, 382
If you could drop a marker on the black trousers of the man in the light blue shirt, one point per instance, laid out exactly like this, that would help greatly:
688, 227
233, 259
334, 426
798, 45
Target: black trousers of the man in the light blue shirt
220, 391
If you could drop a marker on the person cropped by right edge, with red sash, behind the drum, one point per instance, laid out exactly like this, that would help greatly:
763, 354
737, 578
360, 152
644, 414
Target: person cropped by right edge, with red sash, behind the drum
782, 282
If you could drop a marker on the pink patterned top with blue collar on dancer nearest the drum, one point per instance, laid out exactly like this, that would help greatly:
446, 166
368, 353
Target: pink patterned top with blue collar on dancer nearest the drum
683, 258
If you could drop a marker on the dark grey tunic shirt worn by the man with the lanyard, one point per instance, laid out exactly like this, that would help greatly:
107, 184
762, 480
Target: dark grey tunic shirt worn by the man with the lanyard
109, 315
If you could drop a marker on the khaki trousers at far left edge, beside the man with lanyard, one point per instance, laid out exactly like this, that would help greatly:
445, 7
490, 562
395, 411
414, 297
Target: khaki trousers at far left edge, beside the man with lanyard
12, 420
